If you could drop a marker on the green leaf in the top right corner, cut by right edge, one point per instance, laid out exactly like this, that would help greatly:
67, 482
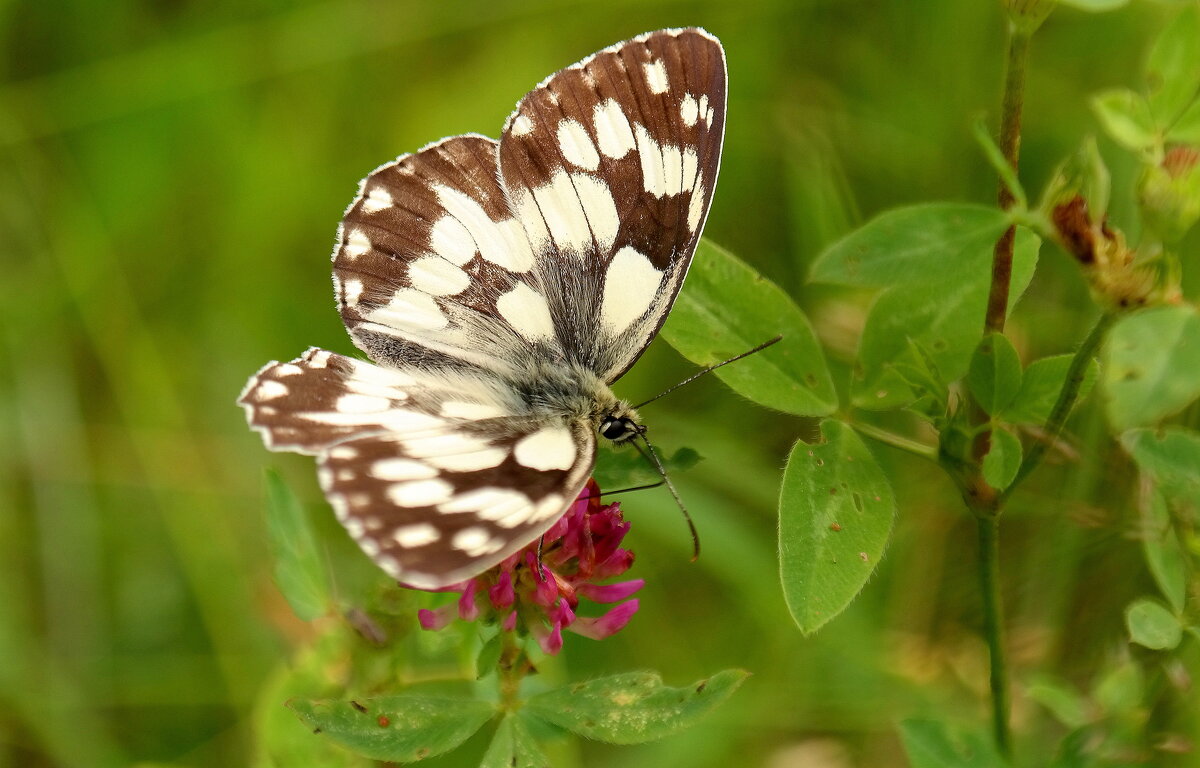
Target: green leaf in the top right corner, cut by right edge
1173, 71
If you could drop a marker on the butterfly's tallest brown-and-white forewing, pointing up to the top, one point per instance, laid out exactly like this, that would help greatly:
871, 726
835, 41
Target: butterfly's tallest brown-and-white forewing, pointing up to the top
610, 165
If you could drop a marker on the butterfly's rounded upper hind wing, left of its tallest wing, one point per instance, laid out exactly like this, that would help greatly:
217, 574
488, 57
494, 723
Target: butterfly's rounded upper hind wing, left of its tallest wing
430, 263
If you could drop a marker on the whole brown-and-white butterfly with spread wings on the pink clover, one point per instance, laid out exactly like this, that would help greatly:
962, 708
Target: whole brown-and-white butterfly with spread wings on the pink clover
500, 290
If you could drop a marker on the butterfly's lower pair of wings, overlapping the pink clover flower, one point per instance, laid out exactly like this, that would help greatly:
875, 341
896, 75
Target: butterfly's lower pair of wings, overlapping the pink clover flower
436, 478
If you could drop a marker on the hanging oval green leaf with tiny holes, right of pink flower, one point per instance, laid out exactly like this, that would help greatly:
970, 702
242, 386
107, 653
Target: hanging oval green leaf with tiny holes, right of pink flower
836, 512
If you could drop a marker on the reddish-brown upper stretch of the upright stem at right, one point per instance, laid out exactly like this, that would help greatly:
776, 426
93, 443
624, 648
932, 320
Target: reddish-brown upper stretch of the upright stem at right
1011, 147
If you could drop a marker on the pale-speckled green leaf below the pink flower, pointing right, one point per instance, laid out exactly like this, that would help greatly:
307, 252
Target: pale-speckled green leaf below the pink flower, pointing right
634, 707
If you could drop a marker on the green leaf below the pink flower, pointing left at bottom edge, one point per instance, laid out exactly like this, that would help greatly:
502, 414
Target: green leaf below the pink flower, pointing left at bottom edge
398, 729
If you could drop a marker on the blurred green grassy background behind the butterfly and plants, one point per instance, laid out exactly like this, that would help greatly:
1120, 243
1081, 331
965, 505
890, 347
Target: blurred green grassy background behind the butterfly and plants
171, 178
